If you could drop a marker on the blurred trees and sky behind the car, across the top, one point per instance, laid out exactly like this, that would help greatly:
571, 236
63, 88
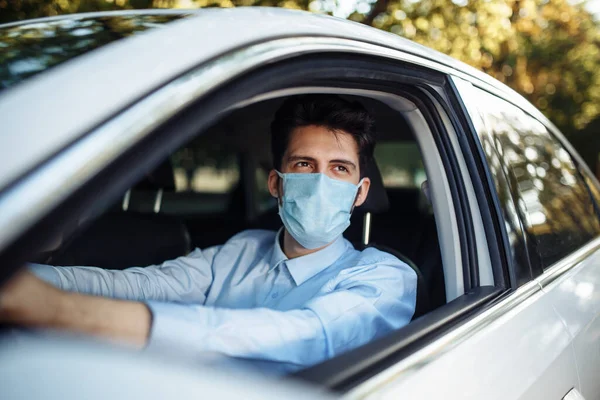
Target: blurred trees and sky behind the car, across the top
547, 50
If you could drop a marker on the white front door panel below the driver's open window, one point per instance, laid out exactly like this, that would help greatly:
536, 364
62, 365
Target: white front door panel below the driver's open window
521, 352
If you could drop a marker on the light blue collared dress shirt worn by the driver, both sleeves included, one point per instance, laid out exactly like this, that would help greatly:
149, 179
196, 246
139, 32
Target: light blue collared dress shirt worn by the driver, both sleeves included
246, 299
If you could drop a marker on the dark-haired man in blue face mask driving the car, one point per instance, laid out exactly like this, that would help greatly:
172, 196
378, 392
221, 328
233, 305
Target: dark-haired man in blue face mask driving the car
295, 297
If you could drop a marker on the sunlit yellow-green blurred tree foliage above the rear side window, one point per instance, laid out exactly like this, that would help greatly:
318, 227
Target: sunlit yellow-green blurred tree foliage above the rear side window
546, 50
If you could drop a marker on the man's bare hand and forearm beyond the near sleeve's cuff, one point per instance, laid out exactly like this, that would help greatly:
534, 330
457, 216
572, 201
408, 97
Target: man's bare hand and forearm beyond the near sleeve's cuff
26, 300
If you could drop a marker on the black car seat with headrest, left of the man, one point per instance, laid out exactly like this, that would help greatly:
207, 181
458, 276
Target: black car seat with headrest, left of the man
133, 233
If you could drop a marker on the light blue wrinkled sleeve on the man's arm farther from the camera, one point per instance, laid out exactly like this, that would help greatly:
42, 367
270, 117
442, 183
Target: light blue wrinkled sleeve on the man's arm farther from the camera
183, 279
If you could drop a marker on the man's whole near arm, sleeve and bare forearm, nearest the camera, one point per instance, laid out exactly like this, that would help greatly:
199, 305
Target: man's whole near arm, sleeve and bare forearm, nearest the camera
378, 301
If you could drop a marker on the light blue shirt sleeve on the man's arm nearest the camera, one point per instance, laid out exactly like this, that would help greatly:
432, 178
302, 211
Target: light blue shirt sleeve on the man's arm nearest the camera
356, 311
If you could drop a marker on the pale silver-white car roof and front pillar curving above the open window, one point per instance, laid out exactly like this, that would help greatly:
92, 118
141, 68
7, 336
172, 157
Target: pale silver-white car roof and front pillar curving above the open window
44, 114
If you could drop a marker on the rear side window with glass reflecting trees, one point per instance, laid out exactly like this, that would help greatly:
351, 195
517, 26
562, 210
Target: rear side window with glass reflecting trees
552, 198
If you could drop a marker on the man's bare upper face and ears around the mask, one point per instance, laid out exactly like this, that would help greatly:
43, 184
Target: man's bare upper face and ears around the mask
316, 149
